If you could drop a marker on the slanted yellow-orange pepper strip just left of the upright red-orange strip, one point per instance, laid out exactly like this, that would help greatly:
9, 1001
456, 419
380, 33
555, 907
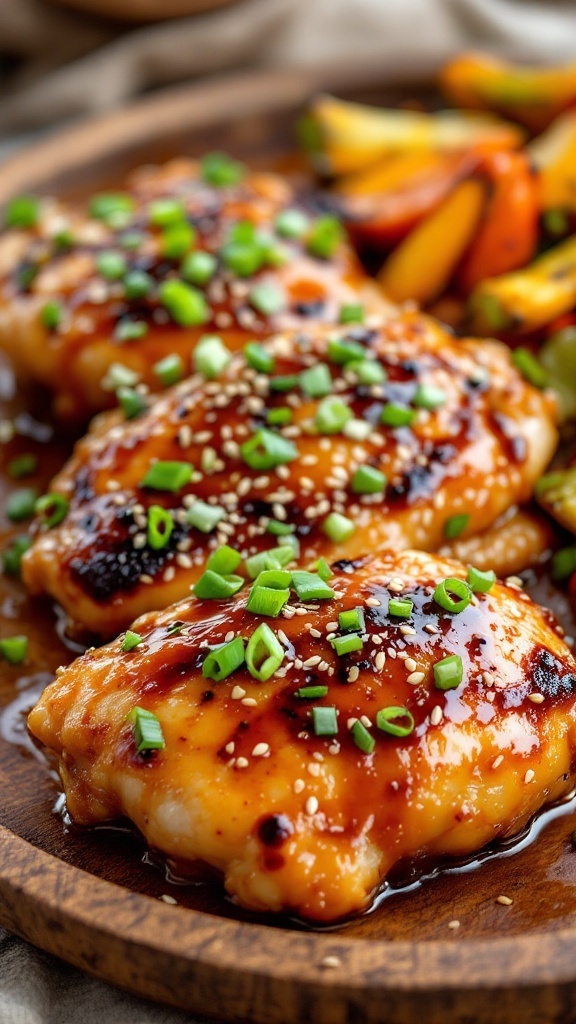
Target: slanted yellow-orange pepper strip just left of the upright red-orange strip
422, 266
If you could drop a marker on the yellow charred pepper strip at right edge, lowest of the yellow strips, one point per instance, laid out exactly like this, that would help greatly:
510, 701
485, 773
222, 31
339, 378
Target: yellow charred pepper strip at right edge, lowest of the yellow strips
525, 301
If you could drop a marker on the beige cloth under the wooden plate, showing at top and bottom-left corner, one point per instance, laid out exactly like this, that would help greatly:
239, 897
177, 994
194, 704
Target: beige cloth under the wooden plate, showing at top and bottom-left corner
68, 65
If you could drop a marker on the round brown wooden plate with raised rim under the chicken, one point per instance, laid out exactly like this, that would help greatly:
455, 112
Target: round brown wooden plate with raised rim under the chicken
94, 898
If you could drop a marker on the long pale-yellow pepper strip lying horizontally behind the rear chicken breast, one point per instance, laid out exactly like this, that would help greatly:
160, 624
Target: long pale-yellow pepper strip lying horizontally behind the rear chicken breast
343, 138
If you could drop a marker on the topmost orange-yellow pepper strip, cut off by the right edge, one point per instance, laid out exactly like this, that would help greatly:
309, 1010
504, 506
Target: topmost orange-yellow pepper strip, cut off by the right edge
529, 95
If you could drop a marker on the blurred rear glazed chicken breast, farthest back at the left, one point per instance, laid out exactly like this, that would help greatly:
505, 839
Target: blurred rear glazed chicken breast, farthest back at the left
139, 276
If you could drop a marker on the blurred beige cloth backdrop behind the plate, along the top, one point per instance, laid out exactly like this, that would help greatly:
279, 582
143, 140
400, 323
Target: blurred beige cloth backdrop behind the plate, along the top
58, 63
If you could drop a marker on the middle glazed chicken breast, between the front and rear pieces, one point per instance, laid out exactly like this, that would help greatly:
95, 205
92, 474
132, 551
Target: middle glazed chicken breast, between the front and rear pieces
339, 445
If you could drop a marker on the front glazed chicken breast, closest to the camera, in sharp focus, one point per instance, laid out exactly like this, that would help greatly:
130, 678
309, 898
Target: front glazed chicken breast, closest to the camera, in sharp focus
402, 713
